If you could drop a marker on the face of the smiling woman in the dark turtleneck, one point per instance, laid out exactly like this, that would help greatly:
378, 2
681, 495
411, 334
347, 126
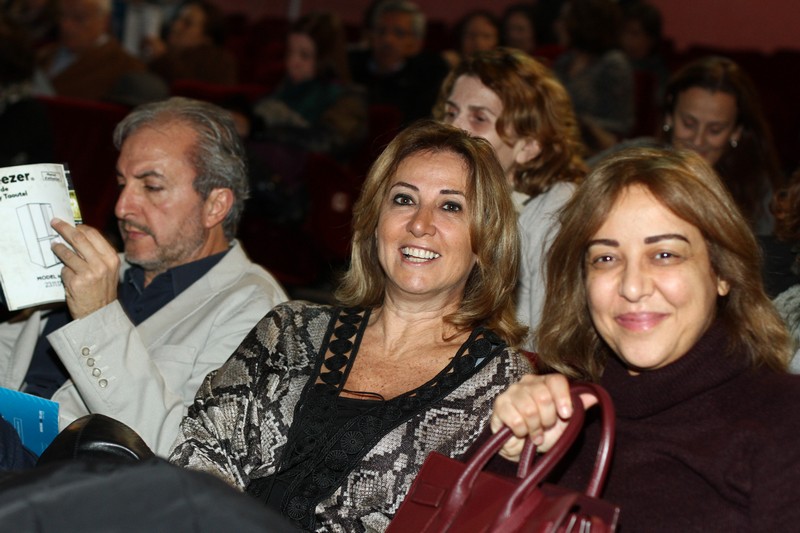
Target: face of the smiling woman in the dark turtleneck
650, 285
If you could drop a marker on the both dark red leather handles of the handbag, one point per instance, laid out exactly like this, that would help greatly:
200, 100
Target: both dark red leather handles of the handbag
463, 486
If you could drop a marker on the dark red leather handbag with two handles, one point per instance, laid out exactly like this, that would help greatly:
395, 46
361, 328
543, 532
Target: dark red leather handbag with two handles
448, 495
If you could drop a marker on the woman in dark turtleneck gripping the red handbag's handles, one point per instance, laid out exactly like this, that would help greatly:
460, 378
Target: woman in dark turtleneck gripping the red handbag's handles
654, 291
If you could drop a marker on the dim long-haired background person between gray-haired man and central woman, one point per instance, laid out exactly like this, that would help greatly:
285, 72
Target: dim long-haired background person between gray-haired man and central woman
314, 109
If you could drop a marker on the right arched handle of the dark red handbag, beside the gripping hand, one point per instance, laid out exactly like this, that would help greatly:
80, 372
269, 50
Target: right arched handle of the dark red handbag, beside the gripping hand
564, 443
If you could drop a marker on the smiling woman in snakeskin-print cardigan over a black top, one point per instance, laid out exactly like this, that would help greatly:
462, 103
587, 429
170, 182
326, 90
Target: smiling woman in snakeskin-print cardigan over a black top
327, 413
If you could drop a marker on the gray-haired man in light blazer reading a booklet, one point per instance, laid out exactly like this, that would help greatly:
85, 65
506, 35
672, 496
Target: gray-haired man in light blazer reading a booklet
141, 330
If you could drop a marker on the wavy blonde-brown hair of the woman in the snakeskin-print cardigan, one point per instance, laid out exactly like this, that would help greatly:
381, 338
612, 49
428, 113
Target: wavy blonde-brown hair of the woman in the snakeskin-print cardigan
489, 292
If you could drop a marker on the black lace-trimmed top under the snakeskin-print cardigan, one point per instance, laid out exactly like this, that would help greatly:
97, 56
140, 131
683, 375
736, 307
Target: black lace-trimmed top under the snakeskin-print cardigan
321, 451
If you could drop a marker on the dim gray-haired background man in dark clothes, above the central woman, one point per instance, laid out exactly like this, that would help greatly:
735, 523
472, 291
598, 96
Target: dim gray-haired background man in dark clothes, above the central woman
396, 70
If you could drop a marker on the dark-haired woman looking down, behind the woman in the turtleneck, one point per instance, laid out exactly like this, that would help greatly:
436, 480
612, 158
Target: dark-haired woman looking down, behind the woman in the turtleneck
712, 107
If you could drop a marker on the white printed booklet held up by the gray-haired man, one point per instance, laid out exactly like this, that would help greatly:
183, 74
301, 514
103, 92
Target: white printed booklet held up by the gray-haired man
30, 197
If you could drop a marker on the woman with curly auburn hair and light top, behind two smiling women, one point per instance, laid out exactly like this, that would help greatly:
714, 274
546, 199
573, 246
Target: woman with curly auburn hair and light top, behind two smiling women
518, 105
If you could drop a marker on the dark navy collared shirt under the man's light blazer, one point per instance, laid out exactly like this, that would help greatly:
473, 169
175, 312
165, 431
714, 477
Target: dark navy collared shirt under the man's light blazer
46, 373
